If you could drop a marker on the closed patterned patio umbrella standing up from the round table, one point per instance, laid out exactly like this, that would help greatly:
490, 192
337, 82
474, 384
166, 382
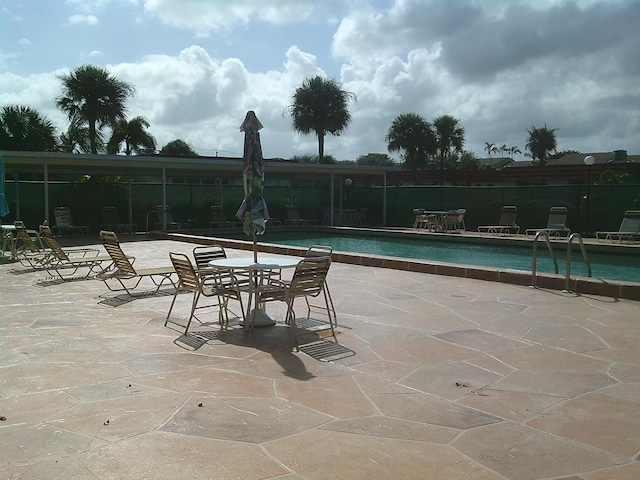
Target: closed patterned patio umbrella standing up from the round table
253, 211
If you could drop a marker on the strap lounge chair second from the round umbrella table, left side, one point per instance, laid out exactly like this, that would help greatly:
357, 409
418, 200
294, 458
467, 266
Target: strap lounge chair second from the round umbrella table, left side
63, 263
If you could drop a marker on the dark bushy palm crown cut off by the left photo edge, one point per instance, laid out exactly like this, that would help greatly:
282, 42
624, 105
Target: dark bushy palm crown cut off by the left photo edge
23, 128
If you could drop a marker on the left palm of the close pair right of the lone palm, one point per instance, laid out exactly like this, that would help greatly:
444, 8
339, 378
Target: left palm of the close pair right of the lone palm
411, 133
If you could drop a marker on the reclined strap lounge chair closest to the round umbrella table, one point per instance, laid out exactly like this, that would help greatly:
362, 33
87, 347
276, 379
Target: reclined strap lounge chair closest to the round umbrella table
123, 271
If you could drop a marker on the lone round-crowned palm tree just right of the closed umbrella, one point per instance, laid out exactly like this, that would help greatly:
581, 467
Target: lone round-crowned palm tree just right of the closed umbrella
320, 106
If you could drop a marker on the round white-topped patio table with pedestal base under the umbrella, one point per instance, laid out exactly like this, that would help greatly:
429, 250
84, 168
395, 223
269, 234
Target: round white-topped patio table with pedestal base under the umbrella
258, 272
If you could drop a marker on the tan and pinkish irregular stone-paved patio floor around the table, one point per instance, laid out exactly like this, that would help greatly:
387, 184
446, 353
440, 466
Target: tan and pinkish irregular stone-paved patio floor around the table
433, 377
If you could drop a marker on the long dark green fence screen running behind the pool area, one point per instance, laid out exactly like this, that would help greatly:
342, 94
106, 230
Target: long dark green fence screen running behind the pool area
607, 203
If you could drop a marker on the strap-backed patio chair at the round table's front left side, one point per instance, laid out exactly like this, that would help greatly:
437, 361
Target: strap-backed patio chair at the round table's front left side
216, 283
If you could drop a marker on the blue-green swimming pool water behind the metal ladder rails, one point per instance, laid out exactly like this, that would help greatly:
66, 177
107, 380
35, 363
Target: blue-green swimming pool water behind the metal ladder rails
604, 266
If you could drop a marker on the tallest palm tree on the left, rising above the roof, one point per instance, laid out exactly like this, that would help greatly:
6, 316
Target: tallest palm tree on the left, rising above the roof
92, 96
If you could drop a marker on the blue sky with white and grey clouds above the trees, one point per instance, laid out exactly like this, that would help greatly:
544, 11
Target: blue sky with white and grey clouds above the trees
499, 66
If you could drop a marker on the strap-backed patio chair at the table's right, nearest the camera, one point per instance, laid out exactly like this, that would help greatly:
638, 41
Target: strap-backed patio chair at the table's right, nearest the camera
308, 281
